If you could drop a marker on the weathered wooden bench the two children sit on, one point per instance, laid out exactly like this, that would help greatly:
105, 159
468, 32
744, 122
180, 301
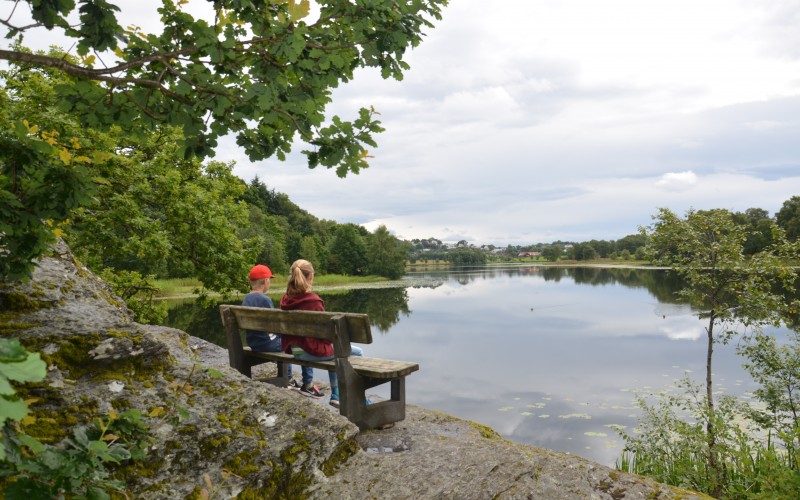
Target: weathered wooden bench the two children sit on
356, 373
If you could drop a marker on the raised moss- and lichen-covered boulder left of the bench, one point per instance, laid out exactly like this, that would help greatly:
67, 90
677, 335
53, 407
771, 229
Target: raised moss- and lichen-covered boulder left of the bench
206, 424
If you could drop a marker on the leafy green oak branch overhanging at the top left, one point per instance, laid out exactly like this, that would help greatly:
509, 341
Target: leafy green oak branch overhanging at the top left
258, 69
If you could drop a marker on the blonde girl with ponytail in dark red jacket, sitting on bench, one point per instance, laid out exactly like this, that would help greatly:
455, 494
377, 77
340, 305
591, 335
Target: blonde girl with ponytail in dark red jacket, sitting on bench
300, 297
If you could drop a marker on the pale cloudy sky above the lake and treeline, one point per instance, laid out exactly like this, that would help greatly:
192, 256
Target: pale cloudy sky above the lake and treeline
527, 121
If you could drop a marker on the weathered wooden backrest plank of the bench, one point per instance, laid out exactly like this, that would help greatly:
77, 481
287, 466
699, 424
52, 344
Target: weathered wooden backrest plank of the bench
333, 326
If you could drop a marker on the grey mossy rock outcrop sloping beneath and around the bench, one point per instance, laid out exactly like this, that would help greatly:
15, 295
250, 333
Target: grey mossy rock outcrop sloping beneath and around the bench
235, 437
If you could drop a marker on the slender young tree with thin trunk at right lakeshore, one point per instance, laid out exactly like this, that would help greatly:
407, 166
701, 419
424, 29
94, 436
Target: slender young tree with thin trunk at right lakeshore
730, 290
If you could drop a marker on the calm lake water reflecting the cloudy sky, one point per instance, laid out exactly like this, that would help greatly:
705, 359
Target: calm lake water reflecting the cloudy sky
548, 356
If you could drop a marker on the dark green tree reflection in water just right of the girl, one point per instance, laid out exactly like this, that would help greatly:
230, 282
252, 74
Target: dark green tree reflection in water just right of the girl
383, 305
